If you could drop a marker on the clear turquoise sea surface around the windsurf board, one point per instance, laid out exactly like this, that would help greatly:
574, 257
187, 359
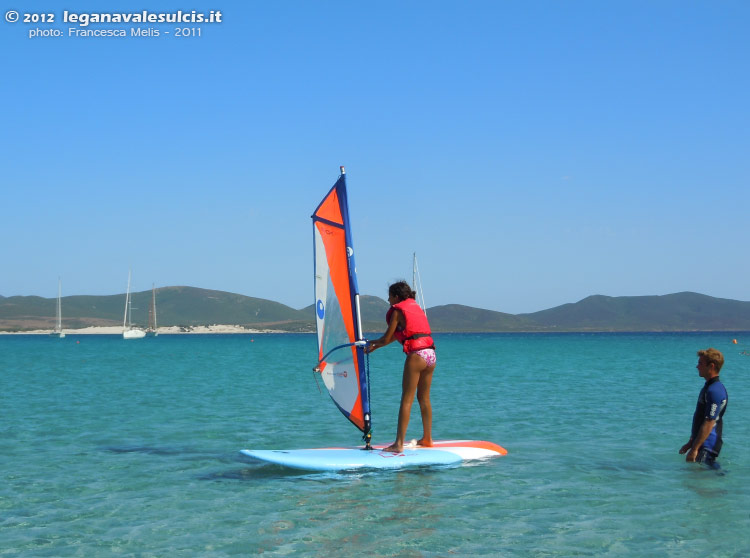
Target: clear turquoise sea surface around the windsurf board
131, 448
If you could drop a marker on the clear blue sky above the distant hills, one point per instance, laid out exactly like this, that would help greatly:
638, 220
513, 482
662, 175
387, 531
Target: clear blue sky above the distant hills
531, 153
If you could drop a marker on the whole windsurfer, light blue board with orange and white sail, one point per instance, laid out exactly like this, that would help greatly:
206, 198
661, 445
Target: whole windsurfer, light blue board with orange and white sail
343, 364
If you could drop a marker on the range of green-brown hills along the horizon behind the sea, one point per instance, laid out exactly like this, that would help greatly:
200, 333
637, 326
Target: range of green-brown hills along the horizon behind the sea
190, 306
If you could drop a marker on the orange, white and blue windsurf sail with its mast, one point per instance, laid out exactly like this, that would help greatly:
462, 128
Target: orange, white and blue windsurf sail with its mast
341, 346
